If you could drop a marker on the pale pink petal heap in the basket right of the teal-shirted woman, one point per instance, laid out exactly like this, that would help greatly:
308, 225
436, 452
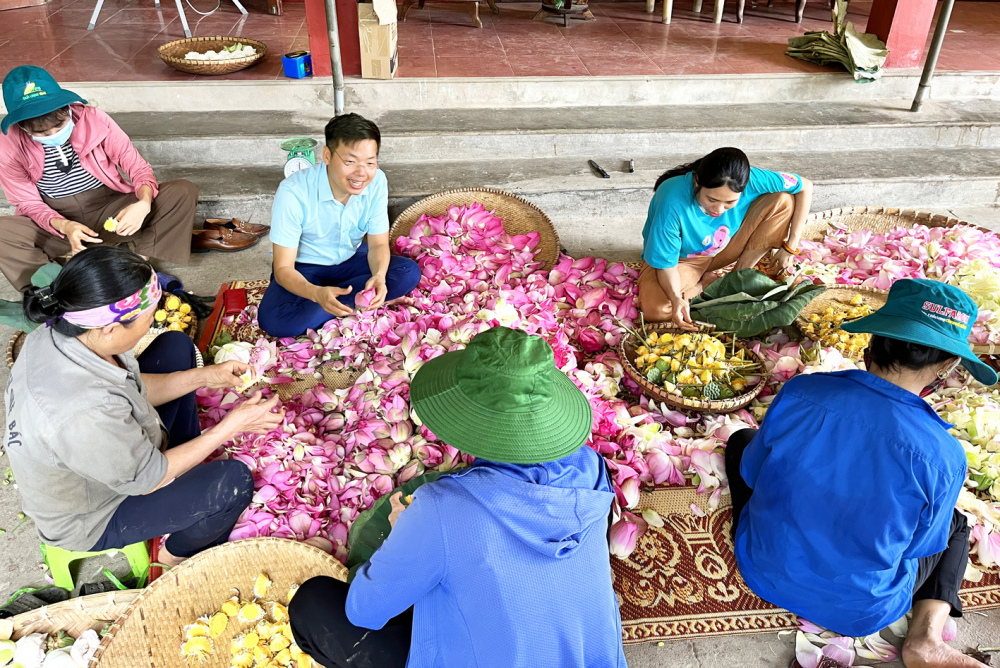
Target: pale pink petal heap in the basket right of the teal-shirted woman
878, 260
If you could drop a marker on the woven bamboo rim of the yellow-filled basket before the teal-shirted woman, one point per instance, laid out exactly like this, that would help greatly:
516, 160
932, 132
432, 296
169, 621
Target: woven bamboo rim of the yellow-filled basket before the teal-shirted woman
654, 391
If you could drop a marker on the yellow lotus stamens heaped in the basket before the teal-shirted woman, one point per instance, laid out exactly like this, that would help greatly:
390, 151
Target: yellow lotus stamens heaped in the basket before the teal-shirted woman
696, 365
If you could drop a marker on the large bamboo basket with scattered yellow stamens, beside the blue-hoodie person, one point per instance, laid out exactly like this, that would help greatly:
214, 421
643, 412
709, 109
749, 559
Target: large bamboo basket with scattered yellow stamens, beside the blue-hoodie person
150, 633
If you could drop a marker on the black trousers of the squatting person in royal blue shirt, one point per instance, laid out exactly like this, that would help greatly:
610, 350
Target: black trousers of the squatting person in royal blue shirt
939, 576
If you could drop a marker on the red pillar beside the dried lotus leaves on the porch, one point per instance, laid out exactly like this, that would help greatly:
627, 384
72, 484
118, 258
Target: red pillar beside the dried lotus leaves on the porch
904, 26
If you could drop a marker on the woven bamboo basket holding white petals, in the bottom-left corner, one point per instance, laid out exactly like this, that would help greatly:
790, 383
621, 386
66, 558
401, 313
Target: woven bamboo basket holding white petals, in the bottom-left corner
75, 615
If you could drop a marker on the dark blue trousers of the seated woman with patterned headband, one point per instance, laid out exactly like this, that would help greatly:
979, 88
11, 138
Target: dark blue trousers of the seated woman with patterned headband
198, 509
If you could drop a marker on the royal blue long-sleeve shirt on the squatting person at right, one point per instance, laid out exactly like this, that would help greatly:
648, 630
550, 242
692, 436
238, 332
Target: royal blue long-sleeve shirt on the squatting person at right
854, 479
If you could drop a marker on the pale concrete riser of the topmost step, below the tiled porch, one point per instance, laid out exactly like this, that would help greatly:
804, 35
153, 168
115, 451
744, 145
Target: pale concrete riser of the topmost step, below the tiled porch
370, 95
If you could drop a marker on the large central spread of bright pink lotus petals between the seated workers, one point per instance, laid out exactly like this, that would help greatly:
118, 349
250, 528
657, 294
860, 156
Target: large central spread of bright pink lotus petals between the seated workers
338, 451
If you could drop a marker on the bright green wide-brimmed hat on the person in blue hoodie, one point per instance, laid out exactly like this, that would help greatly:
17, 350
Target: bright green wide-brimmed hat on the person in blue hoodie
502, 399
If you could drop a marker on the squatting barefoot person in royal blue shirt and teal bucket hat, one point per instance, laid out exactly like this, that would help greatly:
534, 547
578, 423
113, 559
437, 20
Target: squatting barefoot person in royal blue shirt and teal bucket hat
844, 500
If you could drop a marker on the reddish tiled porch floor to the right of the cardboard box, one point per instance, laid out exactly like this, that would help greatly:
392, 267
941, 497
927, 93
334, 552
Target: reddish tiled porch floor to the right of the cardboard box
439, 41
